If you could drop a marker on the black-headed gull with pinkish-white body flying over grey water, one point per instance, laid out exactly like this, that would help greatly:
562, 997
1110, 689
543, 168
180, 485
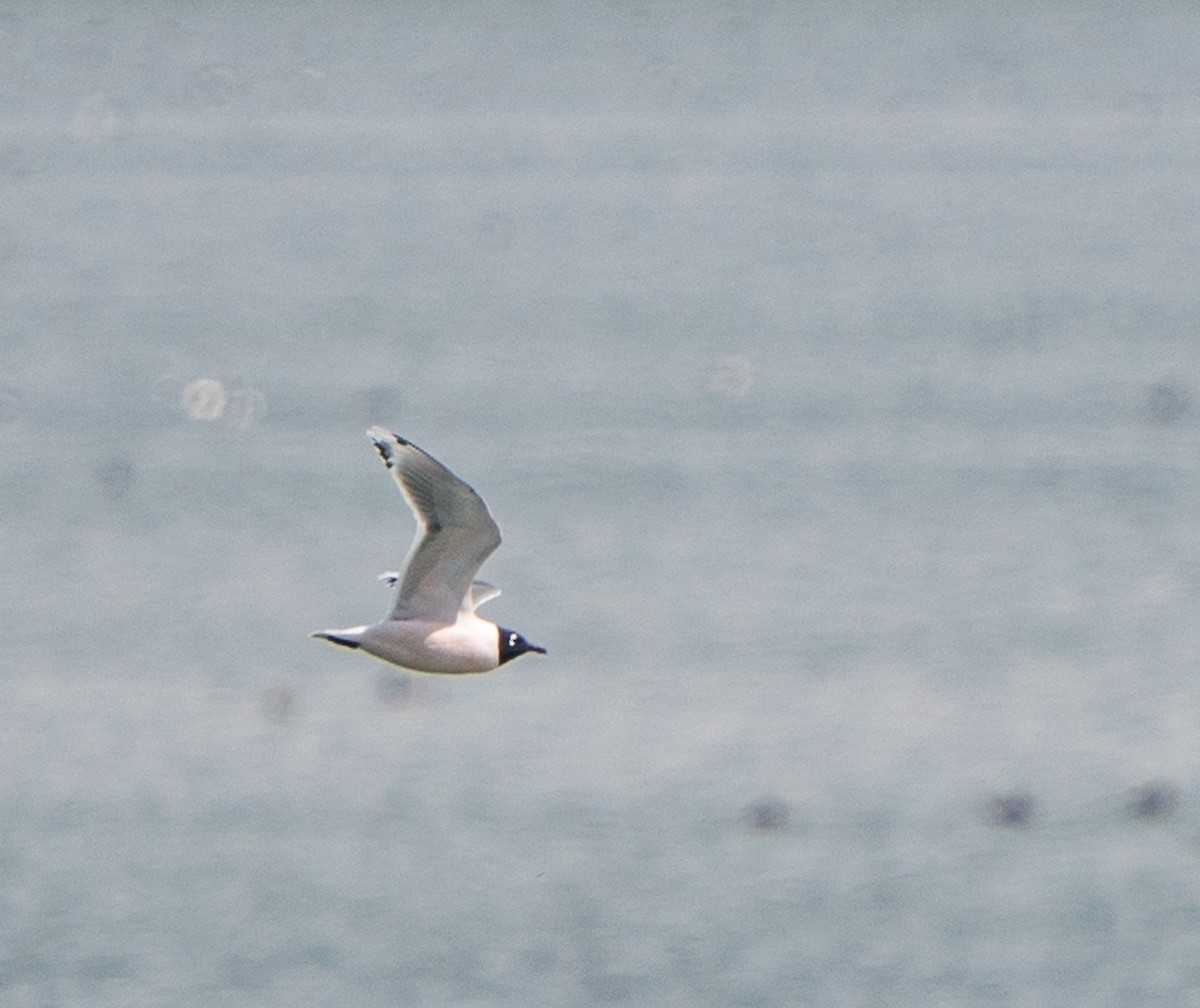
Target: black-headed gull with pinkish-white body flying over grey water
433, 626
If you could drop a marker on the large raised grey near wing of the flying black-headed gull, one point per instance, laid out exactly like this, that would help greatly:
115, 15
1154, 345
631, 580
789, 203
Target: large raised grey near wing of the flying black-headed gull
455, 533
